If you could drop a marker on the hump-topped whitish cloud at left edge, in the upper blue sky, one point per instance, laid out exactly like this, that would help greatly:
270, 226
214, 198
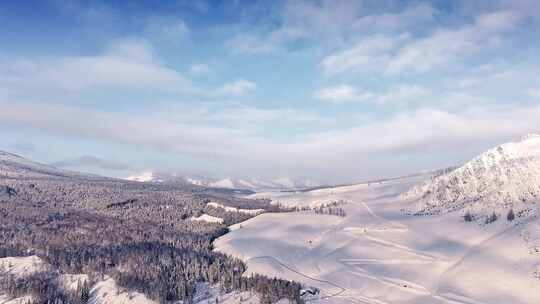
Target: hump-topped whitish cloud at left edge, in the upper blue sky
126, 65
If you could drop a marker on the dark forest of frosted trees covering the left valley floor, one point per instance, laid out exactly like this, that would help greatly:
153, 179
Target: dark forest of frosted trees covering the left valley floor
140, 234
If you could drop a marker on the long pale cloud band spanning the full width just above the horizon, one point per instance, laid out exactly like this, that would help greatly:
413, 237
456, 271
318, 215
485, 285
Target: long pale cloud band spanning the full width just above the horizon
379, 145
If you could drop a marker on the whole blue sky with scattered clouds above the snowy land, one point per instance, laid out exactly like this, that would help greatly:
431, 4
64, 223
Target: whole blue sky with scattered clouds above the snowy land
334, 91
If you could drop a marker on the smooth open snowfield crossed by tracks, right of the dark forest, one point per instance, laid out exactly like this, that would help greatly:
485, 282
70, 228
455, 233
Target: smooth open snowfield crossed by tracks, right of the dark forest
378, 254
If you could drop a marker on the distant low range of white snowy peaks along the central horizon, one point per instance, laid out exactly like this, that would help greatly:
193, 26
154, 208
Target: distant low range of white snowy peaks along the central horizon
227, 183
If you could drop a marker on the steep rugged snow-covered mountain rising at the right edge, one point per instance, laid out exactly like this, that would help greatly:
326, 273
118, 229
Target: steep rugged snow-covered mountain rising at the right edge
503, 178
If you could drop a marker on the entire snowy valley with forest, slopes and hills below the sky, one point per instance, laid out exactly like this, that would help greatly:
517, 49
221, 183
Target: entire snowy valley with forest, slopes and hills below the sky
424, 238
